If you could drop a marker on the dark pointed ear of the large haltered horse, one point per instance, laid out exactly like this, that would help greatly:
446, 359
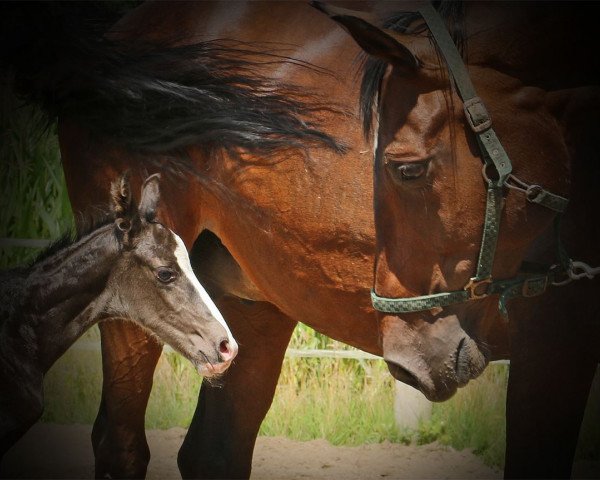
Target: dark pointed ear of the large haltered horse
372, 39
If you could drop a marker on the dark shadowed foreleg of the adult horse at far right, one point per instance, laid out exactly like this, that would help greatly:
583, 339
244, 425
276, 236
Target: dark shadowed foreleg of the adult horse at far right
552, 367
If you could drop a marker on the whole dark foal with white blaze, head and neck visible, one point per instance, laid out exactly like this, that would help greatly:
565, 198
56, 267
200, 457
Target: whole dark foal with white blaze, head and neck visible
130, 267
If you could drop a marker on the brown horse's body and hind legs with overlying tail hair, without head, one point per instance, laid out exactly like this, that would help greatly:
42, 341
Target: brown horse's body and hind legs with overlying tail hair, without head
281, 234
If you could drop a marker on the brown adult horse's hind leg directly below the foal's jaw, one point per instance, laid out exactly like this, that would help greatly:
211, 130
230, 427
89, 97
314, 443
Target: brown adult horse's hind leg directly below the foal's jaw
129, 357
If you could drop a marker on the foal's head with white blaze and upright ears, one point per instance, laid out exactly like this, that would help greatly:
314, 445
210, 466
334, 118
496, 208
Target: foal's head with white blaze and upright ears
153, 283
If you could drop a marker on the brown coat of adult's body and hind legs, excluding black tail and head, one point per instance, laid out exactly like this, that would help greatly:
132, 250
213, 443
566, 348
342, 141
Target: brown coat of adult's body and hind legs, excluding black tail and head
298, 234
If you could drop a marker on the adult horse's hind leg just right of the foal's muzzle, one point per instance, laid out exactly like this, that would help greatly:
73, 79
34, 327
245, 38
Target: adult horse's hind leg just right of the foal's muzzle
221, 438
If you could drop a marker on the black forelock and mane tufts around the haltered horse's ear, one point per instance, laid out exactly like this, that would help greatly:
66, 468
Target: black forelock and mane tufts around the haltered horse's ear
405, 22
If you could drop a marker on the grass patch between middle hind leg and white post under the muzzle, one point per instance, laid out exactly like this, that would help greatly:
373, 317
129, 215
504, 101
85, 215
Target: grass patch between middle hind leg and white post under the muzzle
337, 399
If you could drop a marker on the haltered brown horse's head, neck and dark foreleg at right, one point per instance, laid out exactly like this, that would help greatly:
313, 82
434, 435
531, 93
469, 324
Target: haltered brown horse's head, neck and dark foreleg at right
437, 280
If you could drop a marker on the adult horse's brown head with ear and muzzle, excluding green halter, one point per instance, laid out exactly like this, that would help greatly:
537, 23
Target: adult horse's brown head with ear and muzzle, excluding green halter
430, 199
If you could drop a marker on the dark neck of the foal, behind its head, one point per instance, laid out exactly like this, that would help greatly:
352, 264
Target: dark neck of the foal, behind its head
50, 306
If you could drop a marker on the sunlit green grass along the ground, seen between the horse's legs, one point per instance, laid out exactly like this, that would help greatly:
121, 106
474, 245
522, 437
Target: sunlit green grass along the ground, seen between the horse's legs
346, 401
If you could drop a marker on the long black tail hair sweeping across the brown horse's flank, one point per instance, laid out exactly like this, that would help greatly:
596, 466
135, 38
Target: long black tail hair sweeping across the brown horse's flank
155, 97
